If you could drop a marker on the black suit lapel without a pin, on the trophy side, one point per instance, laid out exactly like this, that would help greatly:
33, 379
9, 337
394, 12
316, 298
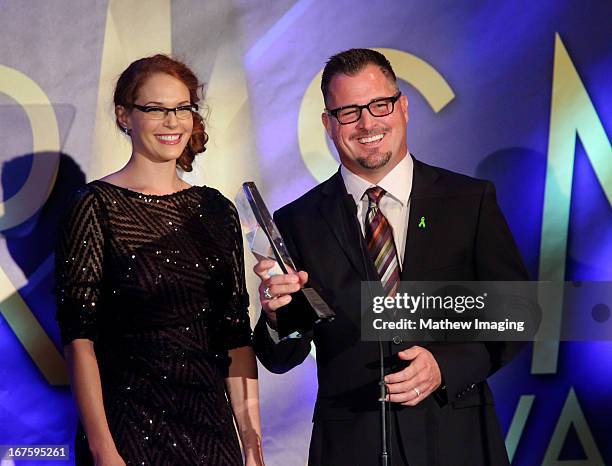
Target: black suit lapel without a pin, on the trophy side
339, 211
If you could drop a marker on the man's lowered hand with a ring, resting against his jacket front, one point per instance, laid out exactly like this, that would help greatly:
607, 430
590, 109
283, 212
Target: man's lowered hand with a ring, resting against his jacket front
417, 381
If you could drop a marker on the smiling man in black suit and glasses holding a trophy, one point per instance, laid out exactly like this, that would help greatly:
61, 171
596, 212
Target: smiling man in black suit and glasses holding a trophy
442, 410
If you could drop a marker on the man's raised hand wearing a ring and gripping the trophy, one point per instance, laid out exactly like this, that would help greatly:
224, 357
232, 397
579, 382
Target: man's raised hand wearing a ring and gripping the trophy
274, 292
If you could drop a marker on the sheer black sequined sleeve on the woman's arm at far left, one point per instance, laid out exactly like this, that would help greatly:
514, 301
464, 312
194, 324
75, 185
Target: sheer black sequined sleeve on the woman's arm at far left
79, 268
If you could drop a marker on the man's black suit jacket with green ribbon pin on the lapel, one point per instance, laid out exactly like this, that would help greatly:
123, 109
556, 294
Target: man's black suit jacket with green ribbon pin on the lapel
466, 239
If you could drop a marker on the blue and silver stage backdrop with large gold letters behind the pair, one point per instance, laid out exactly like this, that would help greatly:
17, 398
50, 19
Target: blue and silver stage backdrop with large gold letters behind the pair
515, 92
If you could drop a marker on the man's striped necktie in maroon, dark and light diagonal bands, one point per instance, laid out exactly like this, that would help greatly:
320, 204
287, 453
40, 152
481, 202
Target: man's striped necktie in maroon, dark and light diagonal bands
379, 236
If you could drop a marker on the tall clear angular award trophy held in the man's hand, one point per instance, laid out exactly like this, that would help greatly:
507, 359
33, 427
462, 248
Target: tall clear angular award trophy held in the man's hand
266, 242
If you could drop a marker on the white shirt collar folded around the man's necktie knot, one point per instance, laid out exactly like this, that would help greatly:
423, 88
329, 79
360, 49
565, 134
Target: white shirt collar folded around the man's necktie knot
397, 183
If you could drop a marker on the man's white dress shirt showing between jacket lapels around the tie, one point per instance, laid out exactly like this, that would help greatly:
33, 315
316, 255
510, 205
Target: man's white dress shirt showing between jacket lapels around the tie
394, 205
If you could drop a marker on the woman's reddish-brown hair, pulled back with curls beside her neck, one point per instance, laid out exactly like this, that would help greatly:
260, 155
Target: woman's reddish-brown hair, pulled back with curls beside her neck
130, 81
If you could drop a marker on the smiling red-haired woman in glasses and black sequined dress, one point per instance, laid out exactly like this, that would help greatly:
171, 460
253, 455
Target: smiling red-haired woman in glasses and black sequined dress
152, 302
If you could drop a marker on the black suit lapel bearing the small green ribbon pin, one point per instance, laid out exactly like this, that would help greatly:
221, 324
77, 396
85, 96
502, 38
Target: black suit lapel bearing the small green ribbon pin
424, 211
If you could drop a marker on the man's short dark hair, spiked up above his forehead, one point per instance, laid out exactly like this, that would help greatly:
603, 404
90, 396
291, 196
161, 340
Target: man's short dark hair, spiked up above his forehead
351, 62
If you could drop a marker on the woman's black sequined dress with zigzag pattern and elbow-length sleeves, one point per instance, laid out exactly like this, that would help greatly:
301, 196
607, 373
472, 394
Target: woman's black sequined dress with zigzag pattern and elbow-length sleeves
157, 283
